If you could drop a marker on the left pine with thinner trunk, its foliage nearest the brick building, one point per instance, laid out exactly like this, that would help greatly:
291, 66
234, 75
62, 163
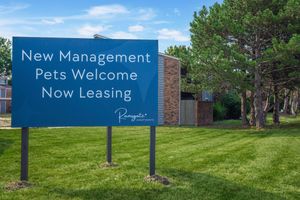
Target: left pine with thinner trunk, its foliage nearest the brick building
219, 63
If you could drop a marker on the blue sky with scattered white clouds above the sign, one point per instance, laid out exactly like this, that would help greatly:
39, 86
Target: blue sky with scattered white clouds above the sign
168, 21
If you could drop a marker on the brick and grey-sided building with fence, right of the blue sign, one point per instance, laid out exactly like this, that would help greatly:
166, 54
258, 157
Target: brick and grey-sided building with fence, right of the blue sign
176, 108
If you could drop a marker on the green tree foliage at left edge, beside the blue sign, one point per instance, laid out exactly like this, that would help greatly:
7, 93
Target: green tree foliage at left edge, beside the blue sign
5, 57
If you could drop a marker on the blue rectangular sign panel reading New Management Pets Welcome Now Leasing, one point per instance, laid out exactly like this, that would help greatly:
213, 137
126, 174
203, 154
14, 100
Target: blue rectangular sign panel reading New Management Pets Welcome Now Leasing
84, 82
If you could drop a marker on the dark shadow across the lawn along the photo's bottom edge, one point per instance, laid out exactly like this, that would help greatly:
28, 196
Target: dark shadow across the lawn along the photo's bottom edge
185, 185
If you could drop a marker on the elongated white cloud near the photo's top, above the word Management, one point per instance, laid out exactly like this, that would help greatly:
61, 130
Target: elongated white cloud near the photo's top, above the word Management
107, 10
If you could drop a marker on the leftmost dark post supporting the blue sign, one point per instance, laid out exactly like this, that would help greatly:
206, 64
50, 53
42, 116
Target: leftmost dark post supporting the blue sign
24, 154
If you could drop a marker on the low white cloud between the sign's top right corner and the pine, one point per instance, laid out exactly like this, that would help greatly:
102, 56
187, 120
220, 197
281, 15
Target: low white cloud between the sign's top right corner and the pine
171, 34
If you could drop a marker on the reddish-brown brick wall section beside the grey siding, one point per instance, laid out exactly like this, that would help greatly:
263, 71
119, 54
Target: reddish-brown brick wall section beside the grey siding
171, 91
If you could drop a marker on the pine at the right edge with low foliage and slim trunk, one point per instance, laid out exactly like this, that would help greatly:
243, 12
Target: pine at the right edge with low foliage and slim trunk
282, 66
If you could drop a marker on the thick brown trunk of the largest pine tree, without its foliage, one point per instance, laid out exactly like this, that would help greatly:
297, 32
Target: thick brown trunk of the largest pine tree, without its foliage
259, 116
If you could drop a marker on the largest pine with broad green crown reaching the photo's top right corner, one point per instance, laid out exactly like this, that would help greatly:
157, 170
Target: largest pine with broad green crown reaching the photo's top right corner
229, 42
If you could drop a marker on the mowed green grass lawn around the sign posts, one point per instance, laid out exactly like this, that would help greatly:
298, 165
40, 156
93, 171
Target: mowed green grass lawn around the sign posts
222, 161
